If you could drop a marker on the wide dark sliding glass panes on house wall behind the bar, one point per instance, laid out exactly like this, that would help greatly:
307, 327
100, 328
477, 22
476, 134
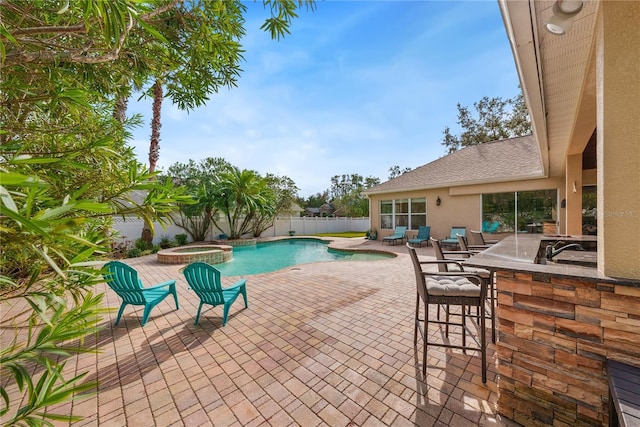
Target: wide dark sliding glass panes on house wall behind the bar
521, 211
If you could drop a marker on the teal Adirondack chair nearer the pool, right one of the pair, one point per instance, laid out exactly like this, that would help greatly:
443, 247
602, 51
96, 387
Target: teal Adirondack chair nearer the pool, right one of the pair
204, 280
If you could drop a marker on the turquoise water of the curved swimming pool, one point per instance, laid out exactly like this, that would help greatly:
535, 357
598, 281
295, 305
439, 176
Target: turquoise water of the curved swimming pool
272, 256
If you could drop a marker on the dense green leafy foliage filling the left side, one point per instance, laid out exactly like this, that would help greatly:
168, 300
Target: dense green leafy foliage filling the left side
66, 168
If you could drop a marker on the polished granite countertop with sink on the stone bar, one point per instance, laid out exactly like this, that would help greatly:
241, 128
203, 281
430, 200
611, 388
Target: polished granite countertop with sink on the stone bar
519, 252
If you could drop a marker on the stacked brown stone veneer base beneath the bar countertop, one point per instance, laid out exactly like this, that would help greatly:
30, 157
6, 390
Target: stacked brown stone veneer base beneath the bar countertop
555, 334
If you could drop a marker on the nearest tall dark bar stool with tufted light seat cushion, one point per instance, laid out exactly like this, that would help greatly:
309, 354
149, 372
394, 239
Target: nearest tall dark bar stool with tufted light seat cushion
448, 289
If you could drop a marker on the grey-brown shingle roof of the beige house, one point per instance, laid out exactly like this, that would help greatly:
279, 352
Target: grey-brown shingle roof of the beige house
511, 159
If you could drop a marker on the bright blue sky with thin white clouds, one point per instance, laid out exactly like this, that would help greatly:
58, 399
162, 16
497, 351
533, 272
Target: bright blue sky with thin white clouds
356, 88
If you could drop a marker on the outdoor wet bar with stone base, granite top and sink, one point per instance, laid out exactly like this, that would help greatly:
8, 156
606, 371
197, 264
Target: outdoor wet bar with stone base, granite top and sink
559, 322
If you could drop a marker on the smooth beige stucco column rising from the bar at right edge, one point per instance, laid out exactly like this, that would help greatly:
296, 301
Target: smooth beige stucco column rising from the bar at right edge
618, 118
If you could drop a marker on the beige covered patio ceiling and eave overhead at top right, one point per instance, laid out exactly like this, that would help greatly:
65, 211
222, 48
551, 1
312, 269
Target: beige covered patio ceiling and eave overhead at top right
557, 74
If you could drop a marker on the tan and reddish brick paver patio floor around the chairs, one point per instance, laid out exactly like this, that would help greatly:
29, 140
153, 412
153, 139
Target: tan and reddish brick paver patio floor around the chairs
323, 344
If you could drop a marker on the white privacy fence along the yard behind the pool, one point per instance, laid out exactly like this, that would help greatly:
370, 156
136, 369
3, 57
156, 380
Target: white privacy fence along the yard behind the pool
131, 228
